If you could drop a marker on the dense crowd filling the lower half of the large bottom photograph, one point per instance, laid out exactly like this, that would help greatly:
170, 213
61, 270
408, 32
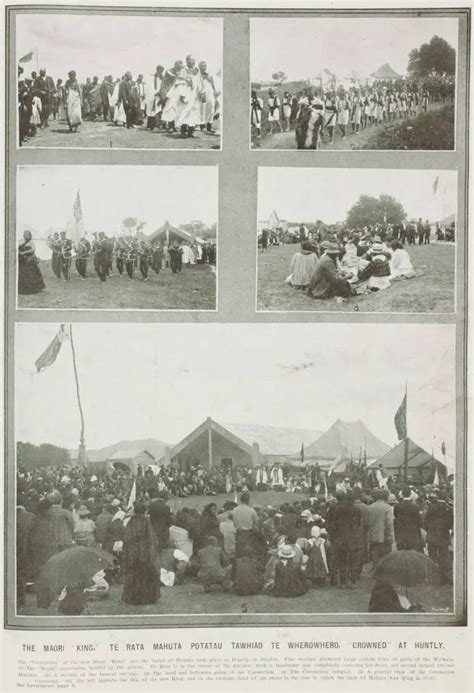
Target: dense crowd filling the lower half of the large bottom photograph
340, 531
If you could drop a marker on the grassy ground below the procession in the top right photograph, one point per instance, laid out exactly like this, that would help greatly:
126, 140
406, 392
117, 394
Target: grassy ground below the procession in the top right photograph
433, 130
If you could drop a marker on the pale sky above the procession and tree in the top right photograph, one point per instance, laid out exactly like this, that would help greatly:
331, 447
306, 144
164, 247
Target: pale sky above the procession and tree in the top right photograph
303, 47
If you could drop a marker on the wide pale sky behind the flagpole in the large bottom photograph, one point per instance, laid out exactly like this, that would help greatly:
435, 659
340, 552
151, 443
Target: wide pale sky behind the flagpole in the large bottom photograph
162, 380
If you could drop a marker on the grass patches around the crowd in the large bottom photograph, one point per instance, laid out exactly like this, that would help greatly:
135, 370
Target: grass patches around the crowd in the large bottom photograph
190, 598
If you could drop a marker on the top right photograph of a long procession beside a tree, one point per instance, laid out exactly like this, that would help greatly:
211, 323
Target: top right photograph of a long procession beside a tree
379, 83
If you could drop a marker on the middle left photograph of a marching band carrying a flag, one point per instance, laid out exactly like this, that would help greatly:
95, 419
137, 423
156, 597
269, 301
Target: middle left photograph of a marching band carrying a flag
117, 237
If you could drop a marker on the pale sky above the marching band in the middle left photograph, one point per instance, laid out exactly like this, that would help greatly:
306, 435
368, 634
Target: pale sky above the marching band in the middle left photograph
155, 194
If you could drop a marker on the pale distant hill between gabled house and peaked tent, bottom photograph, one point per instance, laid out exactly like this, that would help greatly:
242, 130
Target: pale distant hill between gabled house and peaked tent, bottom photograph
274, 440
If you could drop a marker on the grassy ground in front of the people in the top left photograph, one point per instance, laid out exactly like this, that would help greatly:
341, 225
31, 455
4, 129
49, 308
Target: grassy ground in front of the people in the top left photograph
110, 136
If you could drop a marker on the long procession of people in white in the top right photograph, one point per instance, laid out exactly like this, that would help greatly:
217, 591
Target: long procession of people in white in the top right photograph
316, 113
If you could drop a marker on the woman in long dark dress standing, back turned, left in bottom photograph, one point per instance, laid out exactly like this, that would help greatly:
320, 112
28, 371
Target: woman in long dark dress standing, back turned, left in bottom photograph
140, 560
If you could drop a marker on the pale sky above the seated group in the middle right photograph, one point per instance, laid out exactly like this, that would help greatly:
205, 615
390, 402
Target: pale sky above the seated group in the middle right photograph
307, 194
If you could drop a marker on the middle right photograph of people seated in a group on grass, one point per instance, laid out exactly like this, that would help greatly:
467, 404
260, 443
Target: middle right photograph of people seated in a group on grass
368, 240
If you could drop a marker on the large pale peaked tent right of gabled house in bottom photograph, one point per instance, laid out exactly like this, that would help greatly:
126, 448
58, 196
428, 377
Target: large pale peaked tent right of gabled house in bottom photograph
351, 436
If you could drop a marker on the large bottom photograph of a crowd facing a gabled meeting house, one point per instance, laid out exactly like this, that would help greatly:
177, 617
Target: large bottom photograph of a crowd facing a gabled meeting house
233, 470
